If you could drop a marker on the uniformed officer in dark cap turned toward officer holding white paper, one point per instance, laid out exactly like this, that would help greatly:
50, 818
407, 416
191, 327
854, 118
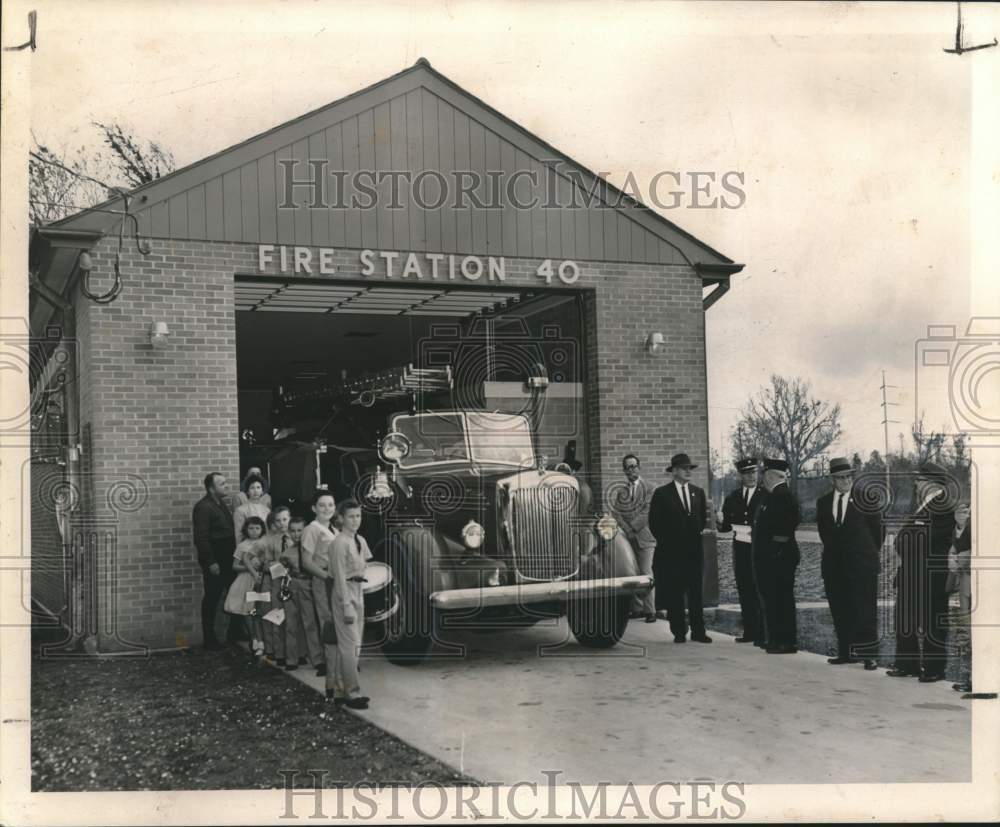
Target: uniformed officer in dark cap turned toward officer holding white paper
776, 556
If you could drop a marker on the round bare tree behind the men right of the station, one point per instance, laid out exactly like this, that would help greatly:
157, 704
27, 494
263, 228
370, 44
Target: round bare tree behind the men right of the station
785, 420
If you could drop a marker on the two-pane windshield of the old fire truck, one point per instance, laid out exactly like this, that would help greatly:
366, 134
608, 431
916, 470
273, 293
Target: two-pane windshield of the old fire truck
495, 438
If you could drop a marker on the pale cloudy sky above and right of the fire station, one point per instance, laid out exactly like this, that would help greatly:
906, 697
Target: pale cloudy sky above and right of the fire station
850, 124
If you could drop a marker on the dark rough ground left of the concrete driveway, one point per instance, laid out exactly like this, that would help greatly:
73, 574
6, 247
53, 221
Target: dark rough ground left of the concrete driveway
201, 721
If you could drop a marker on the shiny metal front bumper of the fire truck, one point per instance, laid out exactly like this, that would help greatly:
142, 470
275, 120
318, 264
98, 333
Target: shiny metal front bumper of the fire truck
527, 593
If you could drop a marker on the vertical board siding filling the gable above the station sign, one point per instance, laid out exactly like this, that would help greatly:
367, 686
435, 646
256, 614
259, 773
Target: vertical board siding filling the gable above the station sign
416, 132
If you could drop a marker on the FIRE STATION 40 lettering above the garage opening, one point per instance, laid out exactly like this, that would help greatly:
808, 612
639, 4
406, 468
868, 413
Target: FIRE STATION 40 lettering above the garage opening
432, 266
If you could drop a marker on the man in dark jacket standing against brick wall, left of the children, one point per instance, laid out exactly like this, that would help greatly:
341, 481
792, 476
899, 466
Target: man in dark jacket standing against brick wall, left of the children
215, 540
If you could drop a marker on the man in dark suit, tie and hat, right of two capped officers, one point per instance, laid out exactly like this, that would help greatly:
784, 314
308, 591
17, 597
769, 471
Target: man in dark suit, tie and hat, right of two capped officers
852, 539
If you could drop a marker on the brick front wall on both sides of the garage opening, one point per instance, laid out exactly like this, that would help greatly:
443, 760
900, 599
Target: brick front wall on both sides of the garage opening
161, 419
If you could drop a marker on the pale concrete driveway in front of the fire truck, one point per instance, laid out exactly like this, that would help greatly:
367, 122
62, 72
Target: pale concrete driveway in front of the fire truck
651, 710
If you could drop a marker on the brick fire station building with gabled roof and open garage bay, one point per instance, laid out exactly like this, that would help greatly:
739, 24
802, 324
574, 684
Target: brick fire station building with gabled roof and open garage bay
188, 325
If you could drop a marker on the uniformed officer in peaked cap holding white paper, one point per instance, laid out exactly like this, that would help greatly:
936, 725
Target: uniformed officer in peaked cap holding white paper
736, 515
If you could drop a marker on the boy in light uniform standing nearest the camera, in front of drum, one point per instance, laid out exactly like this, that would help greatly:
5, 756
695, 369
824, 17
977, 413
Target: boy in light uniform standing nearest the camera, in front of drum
346, 558
